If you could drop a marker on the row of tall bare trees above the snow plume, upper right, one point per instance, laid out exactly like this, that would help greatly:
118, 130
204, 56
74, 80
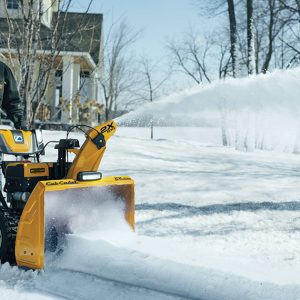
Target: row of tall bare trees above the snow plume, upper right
254, 37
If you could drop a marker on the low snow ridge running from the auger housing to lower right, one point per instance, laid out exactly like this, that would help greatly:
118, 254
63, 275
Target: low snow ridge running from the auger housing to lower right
102, 259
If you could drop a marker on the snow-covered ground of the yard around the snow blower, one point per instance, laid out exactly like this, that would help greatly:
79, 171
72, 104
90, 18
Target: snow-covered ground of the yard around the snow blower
211, 223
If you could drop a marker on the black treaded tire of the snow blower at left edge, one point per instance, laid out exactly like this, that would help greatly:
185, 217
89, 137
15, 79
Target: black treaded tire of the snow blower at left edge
8, 231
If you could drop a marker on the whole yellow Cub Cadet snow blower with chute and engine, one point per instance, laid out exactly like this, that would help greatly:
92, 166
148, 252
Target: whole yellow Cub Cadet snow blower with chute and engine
42, 198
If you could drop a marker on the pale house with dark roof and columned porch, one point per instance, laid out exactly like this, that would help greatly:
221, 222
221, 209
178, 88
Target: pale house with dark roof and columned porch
72, 94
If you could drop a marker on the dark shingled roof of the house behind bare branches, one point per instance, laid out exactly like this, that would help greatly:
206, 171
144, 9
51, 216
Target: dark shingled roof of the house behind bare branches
79, 32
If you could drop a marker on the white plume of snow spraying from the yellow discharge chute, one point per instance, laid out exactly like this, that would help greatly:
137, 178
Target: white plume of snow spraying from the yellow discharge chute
254, 112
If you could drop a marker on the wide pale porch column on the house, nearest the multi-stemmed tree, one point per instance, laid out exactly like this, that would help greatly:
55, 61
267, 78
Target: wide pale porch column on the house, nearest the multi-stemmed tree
67, 89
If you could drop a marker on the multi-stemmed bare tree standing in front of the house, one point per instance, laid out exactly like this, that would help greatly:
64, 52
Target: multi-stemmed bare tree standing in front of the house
36, 49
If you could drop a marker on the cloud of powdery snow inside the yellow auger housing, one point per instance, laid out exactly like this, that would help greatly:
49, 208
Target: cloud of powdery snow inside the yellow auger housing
87, 211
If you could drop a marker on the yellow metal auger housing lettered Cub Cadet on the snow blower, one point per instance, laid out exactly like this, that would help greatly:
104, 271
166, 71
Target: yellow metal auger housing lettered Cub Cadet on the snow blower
31, 231
